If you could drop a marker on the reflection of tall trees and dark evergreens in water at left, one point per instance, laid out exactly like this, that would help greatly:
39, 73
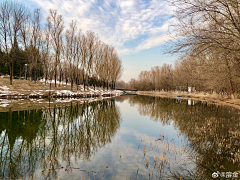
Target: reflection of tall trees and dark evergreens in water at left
48, 139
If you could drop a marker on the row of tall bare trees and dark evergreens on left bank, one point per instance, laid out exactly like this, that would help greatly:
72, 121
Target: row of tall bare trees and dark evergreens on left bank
34, 49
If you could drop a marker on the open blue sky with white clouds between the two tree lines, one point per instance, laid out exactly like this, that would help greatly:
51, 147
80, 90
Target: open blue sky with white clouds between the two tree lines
138, 29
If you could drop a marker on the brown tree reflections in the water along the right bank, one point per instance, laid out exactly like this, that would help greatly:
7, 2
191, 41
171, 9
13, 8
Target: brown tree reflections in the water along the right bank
213, 133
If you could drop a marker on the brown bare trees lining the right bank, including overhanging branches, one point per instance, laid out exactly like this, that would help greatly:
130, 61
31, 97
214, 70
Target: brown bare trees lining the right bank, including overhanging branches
207, 38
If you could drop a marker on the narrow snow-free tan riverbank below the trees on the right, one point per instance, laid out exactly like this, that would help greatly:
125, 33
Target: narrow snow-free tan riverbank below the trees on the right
213, 98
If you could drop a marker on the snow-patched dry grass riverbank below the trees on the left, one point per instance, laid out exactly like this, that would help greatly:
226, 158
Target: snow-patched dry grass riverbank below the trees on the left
25, 89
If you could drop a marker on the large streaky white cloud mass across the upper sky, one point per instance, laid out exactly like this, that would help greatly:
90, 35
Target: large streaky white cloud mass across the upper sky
117, 21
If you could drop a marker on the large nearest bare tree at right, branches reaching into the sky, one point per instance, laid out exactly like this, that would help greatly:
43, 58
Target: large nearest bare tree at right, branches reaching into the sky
210, 31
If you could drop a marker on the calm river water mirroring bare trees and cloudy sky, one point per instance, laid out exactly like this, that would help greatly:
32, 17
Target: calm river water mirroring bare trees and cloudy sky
127, 137
